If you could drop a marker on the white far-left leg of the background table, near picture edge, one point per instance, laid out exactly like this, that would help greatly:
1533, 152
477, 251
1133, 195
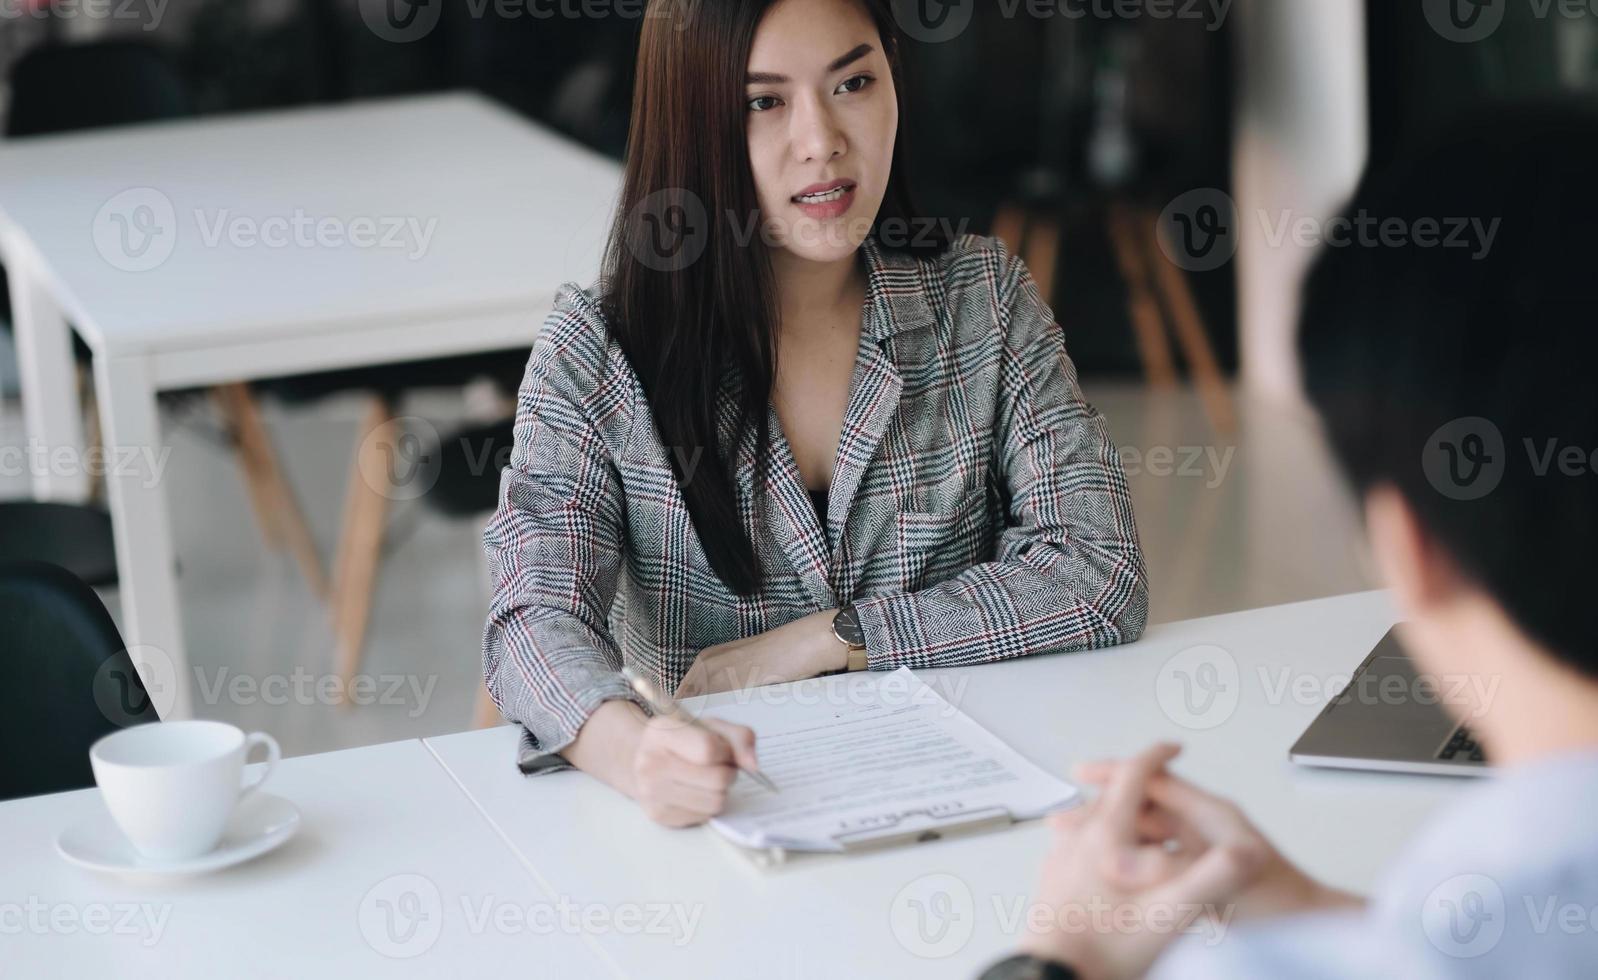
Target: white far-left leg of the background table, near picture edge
50, 389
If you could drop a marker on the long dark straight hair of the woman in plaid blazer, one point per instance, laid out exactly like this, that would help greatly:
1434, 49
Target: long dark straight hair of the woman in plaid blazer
685, 319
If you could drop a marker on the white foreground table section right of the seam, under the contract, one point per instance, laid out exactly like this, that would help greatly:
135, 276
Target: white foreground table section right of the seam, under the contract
942, 910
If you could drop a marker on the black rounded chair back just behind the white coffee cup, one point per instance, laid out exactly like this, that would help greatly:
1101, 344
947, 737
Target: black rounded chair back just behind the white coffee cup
66, 680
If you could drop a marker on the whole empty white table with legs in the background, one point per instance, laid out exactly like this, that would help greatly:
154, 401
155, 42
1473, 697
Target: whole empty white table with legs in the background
427, 228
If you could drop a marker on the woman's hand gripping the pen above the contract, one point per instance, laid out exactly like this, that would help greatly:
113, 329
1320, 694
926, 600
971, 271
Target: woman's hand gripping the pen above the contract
682, 773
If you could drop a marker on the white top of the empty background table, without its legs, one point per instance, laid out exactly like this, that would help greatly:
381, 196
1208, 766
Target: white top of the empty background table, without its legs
451, 202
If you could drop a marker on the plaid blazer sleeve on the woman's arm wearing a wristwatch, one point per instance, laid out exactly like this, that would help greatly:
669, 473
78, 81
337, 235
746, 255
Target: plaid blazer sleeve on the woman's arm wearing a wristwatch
1068, 572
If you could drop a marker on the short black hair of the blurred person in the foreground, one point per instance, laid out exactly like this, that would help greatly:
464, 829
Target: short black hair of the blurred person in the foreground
1450, 373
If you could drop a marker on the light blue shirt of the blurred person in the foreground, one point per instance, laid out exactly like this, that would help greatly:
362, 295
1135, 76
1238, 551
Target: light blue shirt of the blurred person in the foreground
1503, 885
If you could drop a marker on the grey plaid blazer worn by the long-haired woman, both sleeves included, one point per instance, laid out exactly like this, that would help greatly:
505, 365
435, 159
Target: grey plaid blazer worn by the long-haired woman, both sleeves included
977, 511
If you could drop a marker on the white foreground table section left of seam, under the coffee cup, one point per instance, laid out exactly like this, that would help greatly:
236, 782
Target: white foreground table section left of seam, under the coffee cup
392, 874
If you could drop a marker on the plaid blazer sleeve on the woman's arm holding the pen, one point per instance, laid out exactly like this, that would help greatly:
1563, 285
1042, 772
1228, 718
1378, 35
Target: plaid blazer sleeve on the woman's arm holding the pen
555, 546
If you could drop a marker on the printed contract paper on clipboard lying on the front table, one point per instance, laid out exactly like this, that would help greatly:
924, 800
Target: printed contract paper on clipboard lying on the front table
877, 755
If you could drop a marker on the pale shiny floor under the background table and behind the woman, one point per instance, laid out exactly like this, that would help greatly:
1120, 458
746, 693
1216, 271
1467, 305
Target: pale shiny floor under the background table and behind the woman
1228, 524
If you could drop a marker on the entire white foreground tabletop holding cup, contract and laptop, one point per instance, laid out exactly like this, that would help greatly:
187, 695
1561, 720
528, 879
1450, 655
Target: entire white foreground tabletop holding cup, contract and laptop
562, 877
